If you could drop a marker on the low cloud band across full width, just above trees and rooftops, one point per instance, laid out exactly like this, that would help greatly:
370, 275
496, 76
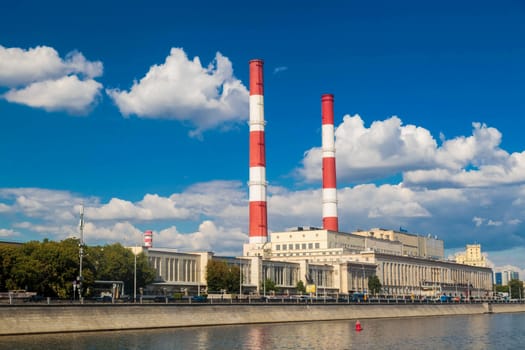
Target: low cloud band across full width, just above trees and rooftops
218, 213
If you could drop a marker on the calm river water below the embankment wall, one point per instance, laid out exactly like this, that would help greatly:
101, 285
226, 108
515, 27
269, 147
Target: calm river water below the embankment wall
497, 331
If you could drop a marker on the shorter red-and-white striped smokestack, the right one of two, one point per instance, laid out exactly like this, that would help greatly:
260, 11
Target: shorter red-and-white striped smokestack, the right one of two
330, 220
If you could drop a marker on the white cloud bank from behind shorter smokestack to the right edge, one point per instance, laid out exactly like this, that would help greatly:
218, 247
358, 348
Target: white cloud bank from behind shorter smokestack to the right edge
388, 148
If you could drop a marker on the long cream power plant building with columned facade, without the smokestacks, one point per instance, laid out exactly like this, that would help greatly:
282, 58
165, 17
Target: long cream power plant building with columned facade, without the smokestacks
336, 262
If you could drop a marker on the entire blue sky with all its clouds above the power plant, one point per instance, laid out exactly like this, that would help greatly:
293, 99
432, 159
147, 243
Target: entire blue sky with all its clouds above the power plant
139, 110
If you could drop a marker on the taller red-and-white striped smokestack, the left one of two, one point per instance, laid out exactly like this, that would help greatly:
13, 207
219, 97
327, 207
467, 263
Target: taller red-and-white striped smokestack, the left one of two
257, 183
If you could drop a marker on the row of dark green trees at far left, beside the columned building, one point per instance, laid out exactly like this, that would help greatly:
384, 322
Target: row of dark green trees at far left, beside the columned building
51, 268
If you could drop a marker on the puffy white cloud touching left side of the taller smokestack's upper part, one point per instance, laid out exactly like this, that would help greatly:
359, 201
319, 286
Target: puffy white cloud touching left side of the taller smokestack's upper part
184, 90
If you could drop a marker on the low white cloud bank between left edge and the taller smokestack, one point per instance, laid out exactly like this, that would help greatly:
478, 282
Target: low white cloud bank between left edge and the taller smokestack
217, 209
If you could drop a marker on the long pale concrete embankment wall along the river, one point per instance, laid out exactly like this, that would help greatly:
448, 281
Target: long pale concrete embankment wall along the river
82, 318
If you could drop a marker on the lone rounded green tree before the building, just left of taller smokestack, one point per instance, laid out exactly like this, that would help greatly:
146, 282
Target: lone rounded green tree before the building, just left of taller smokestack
220, 275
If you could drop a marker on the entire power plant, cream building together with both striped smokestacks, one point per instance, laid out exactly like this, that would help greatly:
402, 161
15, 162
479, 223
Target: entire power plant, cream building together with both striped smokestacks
335, 262
